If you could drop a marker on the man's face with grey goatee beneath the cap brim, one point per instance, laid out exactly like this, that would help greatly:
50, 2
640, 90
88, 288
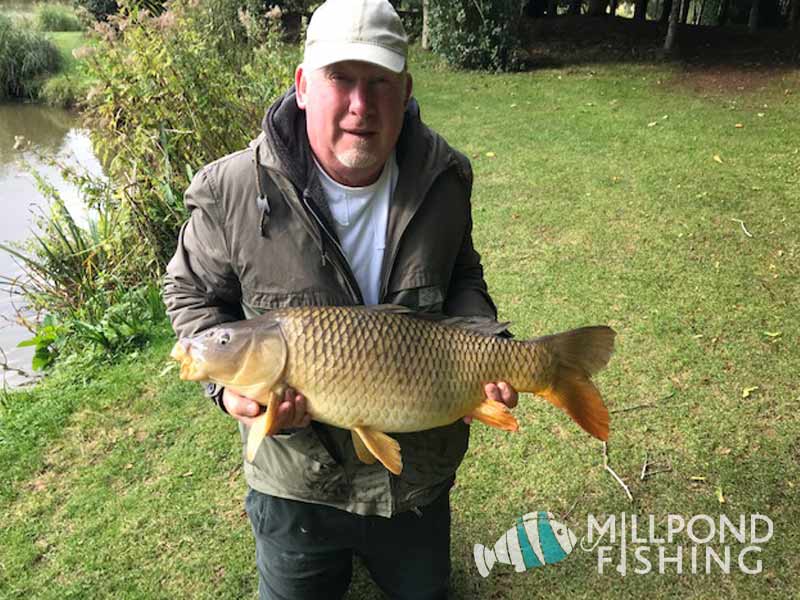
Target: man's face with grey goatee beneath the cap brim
354, 113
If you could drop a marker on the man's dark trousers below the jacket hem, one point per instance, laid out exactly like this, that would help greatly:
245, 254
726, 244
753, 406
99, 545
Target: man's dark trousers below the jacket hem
305, 551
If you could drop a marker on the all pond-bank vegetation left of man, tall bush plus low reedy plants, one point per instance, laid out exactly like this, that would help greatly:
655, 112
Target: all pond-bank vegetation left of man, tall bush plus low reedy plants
170, 93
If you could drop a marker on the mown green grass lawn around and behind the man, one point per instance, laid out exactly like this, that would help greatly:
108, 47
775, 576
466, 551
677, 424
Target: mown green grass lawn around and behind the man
603, 194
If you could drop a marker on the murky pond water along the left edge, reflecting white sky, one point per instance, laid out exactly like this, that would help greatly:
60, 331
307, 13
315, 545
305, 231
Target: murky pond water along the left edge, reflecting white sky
55, 133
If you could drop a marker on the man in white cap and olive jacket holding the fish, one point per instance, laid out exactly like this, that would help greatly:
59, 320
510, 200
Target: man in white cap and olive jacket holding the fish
345, 198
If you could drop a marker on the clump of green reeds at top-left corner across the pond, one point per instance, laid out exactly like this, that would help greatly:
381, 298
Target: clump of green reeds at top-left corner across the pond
25, 57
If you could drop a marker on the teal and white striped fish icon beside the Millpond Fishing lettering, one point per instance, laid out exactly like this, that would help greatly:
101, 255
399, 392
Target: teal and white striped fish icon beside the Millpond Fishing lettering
536, 539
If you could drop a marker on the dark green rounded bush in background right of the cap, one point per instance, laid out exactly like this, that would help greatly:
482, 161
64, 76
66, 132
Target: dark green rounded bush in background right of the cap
476, 34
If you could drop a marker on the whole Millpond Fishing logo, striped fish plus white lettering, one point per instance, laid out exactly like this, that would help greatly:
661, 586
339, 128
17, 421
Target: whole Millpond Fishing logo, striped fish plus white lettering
629, 544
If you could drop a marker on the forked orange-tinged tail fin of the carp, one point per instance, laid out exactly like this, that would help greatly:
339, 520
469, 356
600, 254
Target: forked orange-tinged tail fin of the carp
580, 353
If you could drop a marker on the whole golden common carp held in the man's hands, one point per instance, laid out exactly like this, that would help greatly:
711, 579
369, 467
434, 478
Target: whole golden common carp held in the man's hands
384, 369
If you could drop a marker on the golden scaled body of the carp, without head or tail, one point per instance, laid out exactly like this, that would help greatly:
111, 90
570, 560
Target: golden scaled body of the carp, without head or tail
393, 372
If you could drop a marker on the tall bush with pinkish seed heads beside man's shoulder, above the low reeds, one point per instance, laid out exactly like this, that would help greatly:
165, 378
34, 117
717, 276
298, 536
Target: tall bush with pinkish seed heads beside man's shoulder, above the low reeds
170, 99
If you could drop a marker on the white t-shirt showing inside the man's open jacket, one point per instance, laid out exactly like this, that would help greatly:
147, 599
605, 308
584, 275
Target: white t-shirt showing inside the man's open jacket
360, 216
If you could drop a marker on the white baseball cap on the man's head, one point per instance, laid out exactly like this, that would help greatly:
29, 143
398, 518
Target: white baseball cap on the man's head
365, 30
